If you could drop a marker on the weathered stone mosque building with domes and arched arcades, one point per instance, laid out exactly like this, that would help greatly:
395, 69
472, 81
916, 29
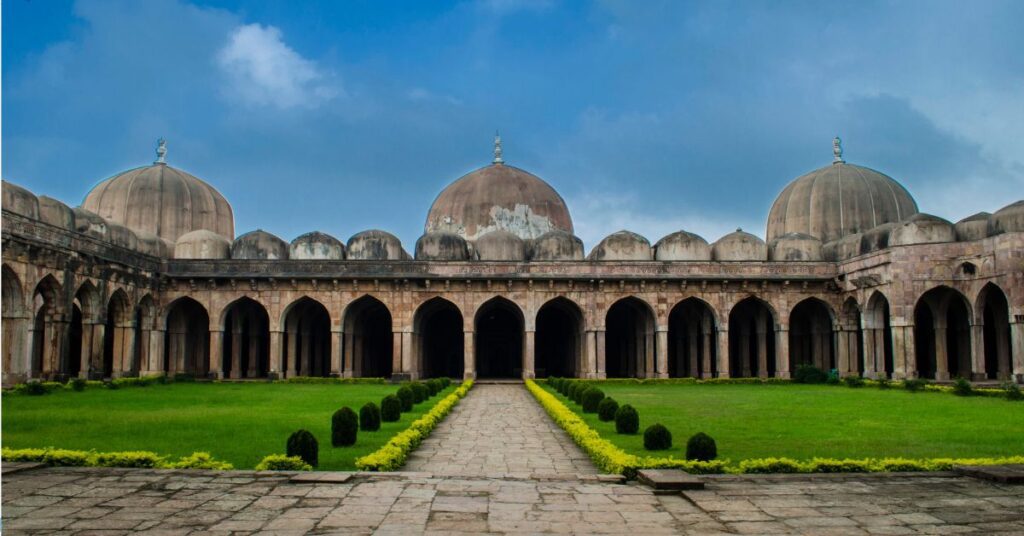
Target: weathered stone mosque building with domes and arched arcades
148, 277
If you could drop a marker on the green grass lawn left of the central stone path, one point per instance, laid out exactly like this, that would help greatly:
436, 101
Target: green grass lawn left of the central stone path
236, 423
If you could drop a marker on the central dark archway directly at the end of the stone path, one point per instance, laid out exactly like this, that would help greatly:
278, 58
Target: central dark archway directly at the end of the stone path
499, 329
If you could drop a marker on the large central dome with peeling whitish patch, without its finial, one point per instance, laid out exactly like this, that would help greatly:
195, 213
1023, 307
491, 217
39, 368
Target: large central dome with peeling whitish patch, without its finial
499, 197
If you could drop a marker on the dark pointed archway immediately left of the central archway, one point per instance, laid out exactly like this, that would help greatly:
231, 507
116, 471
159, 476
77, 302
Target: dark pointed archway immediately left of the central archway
438, 327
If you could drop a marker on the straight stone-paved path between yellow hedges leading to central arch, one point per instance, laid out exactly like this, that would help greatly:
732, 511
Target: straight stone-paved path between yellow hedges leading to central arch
500, 431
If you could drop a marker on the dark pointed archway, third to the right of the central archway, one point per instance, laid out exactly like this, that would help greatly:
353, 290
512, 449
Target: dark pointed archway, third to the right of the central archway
693, 343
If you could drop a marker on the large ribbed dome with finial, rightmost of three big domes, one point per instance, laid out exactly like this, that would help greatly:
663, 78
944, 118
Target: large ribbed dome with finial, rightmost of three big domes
839, 200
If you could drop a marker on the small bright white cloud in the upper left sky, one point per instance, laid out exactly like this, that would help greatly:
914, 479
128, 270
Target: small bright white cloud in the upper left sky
264, 71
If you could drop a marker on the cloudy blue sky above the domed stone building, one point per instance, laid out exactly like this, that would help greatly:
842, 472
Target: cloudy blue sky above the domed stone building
649, 116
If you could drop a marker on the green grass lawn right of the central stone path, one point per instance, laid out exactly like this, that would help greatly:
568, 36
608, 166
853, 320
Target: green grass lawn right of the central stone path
803, 422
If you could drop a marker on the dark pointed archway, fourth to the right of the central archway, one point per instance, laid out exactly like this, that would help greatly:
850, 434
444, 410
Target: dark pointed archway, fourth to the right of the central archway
752, 340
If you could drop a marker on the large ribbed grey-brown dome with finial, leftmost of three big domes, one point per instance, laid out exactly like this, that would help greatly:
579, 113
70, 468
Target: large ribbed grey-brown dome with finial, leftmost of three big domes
163, 201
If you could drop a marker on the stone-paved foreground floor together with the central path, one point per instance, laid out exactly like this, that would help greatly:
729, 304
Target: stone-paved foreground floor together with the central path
497, 466
